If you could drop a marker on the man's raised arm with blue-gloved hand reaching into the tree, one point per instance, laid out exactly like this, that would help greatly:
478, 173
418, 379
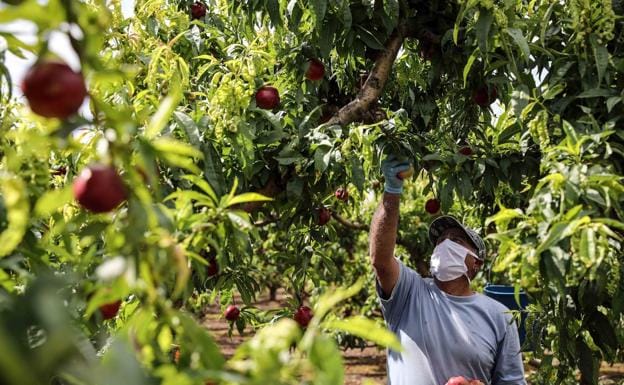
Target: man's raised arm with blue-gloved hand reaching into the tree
385, 222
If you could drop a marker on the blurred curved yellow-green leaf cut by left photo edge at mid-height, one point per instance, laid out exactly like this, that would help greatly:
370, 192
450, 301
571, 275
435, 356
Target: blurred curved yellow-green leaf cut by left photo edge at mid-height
14, 193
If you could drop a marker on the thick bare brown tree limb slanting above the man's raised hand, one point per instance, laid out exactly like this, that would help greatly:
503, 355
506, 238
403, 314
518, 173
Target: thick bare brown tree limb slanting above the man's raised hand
373, 87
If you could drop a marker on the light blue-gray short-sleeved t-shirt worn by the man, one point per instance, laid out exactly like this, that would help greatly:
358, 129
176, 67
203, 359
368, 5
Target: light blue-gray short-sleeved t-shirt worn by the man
445, 335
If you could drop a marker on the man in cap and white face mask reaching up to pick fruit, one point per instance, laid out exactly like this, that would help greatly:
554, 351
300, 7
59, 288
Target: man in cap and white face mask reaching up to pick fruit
445, 328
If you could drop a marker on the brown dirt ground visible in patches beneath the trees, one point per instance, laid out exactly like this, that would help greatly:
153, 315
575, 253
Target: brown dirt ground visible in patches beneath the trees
369, 363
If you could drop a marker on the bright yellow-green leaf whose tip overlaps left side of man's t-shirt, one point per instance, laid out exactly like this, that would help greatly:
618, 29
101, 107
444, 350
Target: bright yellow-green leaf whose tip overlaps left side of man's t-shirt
367, 329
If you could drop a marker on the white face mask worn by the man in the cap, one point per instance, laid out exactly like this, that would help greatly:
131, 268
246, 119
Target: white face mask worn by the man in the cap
448, 261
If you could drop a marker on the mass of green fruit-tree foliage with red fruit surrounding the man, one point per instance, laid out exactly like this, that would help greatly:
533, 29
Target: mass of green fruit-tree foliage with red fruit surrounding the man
226, 148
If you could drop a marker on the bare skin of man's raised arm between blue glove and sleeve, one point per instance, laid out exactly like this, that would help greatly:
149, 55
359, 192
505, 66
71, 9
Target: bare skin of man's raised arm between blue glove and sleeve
383, 239
